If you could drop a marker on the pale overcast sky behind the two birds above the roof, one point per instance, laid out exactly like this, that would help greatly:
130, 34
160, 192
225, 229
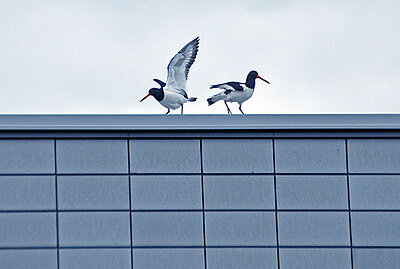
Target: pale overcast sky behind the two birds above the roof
101, 56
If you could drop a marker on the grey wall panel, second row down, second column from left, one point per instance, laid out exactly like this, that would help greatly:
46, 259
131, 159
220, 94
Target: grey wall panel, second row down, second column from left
93, 192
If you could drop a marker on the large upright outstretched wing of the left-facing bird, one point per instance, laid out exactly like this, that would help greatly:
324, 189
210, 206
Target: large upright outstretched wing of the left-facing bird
178, 67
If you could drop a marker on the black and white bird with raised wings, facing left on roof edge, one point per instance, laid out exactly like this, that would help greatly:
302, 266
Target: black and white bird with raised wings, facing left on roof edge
172, 94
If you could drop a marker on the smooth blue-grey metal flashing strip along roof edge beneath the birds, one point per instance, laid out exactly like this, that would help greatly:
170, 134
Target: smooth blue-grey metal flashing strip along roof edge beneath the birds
200, 122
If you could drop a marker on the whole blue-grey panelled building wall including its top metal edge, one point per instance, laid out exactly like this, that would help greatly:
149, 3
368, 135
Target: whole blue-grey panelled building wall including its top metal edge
200, 191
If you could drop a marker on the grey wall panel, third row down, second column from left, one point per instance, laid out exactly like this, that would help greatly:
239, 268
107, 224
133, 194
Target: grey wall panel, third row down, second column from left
94, 229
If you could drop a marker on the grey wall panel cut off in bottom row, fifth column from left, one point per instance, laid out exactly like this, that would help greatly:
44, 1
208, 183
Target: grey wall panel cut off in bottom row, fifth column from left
315, 258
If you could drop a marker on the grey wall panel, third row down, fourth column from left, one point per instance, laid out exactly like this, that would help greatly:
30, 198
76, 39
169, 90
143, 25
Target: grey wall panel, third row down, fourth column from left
240, 229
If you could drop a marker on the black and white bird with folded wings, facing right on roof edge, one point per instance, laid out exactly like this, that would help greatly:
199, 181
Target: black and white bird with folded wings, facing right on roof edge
235, 91
